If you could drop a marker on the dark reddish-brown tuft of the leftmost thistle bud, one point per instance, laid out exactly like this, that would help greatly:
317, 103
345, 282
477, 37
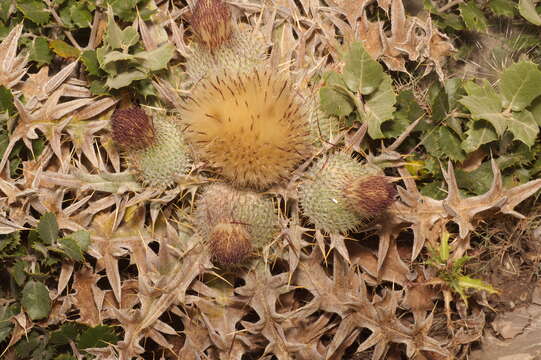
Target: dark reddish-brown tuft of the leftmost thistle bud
132, 128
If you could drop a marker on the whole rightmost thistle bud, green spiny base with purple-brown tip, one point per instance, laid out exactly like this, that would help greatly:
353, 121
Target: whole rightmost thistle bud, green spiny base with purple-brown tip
340, 193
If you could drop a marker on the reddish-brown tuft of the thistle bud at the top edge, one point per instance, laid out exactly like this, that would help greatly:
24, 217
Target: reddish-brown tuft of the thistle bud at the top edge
211, 22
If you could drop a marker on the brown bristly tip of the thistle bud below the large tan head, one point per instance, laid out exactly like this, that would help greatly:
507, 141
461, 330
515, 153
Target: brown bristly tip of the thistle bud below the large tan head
230, 243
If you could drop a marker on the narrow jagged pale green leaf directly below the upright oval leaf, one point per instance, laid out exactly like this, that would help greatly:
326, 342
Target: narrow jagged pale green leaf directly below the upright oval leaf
379, 107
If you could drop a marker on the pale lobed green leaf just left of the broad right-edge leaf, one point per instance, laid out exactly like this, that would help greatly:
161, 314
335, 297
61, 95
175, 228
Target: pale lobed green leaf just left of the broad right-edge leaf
487, 107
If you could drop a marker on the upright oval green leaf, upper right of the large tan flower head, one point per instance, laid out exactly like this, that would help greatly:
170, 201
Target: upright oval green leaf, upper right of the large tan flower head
362, 73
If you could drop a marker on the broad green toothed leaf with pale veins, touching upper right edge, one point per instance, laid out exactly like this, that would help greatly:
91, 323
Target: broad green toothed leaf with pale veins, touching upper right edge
519, 85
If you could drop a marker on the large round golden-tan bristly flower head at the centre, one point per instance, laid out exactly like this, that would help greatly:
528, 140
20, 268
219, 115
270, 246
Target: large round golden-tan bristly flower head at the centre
253, 128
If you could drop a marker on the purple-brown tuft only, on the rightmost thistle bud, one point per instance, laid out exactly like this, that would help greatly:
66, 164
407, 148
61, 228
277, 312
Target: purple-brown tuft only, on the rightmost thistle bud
372, 195
